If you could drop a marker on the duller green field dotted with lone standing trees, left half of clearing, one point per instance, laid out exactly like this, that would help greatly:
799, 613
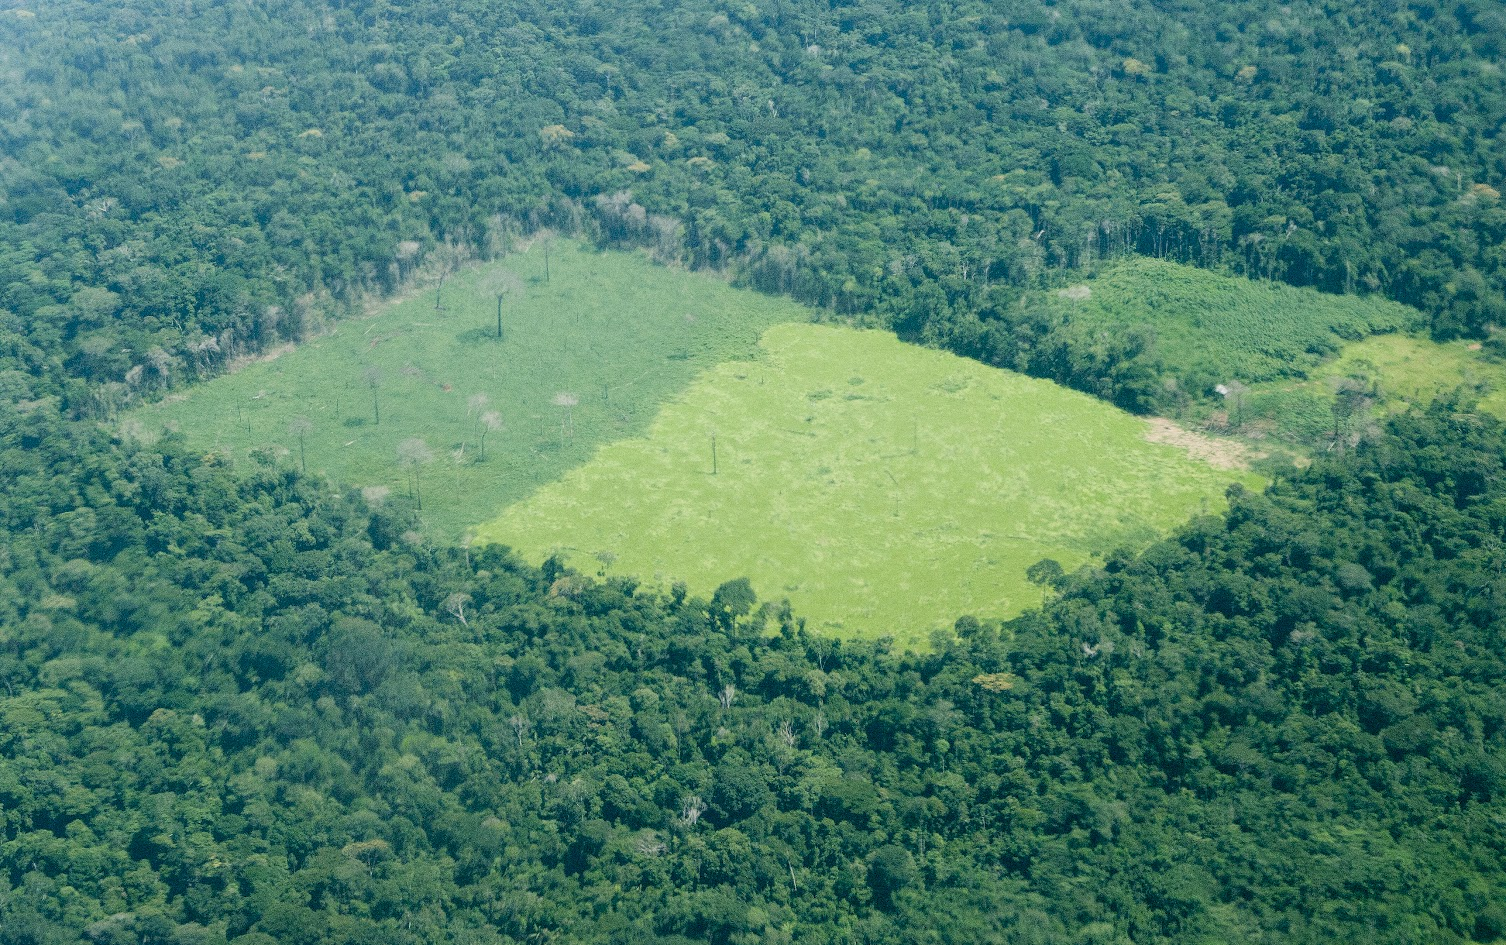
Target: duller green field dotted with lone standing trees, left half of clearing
611, 329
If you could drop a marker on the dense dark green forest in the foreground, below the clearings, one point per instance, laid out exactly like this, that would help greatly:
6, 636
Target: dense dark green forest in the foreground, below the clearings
239, 709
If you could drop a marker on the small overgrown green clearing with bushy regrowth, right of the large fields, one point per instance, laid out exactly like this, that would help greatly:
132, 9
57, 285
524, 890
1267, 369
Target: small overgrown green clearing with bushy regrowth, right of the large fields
1221, 328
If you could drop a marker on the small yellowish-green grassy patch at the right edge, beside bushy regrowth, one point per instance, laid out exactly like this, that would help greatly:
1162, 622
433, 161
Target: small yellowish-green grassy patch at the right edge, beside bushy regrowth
1403, 370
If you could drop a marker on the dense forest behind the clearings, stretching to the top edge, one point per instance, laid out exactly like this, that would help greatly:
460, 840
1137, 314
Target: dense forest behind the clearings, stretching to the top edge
186, 183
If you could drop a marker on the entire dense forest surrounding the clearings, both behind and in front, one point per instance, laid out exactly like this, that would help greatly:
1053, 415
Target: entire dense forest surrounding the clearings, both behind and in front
246, 706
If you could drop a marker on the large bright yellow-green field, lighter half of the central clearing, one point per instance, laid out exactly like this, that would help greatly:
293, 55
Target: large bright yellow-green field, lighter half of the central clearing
882, 488
